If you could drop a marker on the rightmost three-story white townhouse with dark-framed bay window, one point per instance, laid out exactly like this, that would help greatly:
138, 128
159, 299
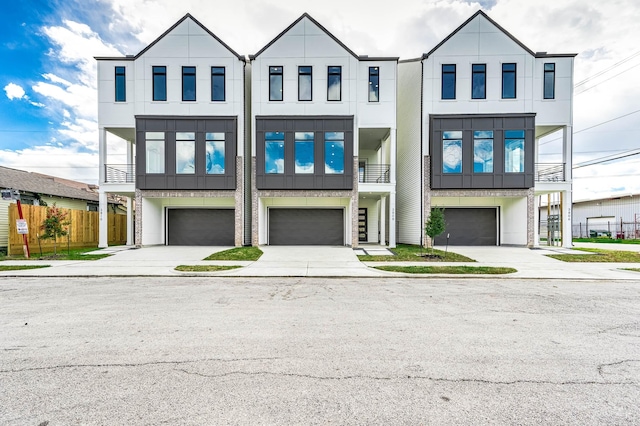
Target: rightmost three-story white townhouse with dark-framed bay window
469, 138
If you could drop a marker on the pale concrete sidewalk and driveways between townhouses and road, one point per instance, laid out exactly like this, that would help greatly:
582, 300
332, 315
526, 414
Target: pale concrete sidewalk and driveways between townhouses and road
322, 261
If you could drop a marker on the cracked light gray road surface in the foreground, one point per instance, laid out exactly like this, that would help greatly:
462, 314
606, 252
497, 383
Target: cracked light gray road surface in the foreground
318, 351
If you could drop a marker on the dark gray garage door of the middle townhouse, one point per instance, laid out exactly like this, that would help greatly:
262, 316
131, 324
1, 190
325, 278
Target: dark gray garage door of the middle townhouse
306, 226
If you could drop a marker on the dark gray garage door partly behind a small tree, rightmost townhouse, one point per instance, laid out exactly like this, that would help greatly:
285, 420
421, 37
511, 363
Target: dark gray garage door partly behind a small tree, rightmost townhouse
470, 227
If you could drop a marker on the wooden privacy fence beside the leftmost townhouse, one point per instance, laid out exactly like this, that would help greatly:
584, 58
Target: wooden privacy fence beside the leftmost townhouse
83, 229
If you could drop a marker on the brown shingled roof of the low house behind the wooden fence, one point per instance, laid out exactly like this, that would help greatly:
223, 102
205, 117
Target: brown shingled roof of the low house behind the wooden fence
46, 185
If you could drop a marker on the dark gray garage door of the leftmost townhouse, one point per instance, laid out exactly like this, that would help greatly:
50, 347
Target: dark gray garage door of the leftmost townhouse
201, 227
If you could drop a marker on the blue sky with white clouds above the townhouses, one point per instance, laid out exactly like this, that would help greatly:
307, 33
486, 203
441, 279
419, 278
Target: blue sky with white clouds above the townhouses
48, 101
